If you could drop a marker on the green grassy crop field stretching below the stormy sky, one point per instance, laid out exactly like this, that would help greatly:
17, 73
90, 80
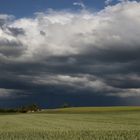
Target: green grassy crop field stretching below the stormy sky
114, 123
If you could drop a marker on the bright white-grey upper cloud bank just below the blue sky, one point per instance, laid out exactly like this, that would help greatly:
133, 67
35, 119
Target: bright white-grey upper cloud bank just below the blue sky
68, 33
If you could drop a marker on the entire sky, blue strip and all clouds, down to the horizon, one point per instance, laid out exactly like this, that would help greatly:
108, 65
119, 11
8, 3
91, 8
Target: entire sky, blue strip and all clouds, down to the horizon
85, 53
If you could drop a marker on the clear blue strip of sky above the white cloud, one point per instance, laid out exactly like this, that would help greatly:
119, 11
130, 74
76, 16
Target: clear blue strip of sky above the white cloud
26, 8
